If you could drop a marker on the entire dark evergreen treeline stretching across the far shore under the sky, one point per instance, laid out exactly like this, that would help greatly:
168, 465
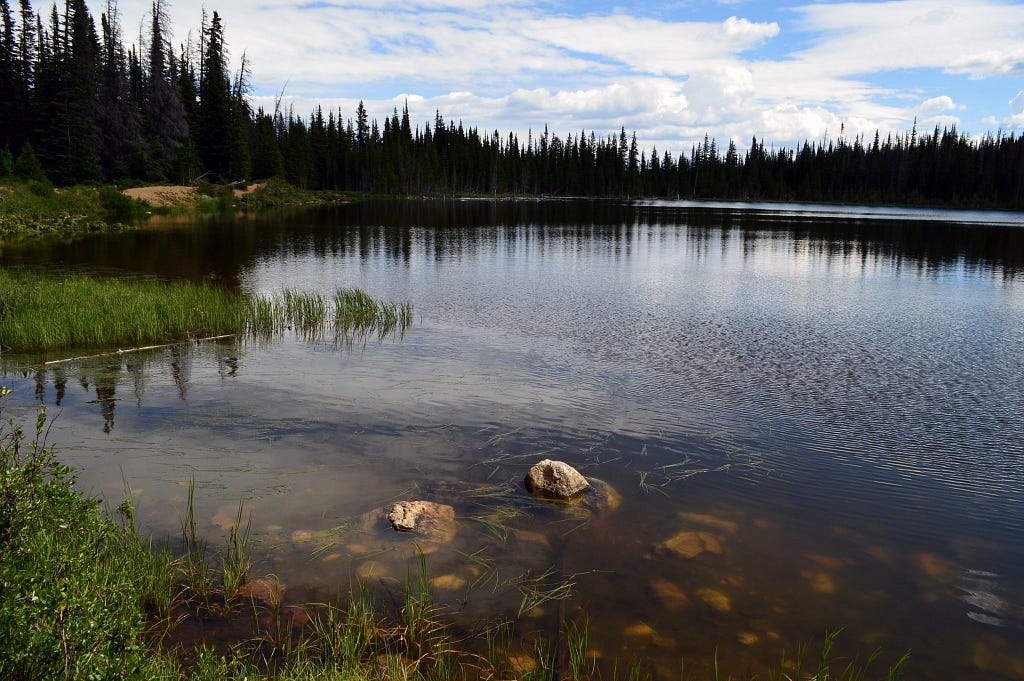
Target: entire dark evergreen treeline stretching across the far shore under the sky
82, 108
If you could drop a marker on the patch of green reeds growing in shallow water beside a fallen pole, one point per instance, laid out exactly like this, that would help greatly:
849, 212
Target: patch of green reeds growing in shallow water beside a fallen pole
42, 312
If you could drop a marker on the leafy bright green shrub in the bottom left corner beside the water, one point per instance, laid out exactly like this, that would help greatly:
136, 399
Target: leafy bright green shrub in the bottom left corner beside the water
71, 592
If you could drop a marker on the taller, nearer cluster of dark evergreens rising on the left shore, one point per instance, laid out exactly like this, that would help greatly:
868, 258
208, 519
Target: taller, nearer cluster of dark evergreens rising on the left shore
81, 107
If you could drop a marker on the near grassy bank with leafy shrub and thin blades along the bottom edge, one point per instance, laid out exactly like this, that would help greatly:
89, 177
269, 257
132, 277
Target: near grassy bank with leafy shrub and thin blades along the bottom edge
86, 598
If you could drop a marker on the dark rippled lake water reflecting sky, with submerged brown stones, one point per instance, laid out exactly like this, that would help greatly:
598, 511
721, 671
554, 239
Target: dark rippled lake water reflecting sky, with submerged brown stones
813, 417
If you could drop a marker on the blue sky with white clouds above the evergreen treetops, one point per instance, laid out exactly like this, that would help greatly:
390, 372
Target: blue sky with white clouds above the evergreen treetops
670, 71
